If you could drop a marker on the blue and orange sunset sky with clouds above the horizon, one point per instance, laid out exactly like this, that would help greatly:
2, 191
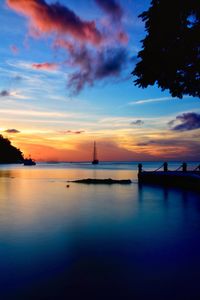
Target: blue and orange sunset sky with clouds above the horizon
65, 81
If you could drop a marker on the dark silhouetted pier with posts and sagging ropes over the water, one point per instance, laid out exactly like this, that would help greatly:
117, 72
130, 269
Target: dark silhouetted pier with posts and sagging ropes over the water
181, 177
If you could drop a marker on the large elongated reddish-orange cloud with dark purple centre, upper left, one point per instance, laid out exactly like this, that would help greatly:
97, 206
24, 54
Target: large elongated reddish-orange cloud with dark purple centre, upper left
55, 18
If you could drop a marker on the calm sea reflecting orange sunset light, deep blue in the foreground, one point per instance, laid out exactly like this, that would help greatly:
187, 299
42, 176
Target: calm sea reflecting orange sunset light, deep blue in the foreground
96, 242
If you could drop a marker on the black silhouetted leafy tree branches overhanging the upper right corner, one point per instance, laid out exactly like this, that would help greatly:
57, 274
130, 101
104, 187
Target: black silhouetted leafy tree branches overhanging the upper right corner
170, 54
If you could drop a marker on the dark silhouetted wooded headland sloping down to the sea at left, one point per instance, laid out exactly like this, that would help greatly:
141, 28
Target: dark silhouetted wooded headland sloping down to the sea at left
8, 153
